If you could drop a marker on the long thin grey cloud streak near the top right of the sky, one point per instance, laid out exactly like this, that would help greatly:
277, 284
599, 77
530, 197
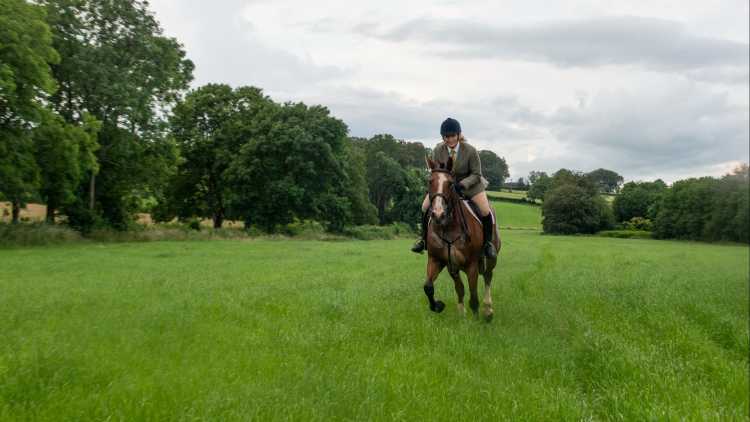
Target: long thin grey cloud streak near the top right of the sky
654, 43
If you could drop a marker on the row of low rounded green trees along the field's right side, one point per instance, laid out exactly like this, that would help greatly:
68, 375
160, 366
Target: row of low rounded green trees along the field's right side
706, 208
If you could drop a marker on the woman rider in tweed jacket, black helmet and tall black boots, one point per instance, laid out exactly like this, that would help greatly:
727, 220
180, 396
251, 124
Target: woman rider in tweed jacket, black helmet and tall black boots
467, 171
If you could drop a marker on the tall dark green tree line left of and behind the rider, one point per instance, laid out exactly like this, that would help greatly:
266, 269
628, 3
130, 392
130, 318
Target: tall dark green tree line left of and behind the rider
96, 122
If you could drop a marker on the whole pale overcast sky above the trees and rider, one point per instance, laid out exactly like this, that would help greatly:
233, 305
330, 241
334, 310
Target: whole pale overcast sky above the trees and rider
650, 89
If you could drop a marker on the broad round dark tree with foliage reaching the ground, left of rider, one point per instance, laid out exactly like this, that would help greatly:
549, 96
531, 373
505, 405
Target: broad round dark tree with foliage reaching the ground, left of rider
293, 170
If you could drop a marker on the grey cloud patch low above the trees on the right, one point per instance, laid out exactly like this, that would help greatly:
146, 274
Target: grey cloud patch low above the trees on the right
676, 131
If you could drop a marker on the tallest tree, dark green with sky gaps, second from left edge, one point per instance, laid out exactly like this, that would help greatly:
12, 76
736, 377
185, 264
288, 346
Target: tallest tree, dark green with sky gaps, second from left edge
118, 66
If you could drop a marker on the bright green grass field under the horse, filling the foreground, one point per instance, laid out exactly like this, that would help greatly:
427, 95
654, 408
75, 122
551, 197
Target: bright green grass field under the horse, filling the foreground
585, 327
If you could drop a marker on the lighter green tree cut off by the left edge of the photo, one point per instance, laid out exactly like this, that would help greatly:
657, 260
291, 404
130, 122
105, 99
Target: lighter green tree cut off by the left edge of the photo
25, 81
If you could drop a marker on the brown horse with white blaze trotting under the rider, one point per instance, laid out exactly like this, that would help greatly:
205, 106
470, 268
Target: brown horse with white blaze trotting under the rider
455, 240
